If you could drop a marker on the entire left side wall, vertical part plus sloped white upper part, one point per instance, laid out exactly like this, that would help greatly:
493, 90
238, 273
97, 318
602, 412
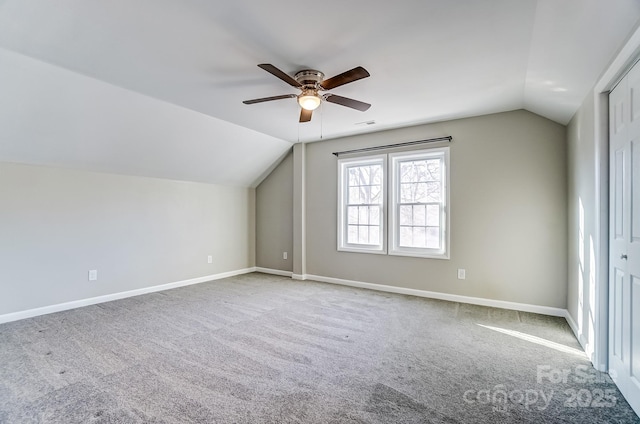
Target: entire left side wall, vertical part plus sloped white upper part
138, 232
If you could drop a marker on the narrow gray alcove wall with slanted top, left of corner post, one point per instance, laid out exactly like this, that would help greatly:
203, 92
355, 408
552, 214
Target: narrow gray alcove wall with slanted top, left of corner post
274, 218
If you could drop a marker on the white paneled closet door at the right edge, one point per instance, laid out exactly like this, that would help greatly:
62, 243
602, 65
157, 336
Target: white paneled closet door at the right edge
624, 237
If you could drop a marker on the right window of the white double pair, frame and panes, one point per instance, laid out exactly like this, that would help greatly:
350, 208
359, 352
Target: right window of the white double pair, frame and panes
418, 212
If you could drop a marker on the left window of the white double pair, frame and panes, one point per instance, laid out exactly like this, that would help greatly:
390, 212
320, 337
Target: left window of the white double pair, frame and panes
362, 199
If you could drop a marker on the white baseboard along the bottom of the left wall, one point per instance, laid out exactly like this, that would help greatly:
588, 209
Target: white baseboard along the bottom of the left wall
15, 316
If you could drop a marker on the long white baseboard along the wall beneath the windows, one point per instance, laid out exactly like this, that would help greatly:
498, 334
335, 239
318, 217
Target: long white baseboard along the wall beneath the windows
524, 307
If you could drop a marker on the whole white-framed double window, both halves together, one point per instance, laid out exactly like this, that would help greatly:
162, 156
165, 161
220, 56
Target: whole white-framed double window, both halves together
418, 194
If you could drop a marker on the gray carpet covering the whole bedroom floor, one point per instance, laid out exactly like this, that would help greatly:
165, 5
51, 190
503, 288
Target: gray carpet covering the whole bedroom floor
265, 349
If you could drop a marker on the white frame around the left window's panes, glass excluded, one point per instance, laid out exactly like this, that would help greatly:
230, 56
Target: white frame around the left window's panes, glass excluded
343, 178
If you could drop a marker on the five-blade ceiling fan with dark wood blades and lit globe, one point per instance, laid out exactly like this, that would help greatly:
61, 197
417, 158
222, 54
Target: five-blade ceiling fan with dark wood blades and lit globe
311, 82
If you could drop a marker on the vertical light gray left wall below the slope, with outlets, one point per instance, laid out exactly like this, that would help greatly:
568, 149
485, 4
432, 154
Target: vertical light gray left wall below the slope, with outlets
57, 224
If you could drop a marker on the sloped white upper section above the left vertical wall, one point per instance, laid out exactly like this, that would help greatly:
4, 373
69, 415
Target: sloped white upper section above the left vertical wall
52, 116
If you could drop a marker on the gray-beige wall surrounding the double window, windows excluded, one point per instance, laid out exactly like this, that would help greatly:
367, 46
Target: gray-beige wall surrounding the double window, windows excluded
508, 212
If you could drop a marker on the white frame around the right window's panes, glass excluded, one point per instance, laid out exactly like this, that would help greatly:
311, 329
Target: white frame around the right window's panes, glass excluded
394, 189
